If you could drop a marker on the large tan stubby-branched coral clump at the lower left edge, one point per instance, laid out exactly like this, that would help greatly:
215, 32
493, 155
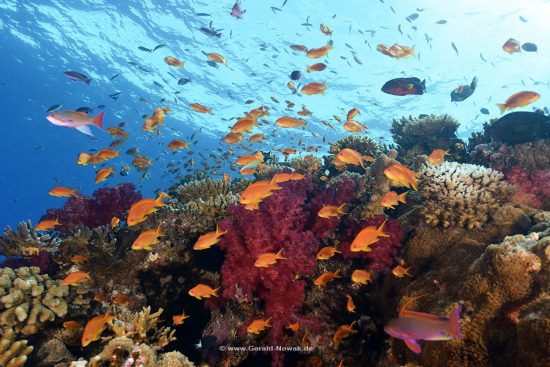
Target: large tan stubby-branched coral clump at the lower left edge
29, 299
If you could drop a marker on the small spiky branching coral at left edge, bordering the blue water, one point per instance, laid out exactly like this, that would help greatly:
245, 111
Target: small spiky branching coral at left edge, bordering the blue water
25, 241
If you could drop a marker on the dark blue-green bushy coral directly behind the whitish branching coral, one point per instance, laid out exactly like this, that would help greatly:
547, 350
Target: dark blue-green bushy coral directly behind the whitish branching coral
416, 136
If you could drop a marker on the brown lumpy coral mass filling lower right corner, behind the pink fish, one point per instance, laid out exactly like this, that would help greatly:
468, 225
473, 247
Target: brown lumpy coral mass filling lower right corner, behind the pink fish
502, 286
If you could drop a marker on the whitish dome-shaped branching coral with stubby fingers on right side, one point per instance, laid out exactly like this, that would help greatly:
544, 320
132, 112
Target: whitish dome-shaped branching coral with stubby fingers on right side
464, 195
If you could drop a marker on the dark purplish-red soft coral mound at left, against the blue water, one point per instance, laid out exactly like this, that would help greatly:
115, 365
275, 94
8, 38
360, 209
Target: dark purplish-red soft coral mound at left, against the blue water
106, 203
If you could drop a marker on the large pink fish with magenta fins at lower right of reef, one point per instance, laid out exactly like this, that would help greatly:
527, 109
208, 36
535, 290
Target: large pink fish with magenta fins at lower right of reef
411, 326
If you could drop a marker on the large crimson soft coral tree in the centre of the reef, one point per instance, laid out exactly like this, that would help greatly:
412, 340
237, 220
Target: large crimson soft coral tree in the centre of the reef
286, 220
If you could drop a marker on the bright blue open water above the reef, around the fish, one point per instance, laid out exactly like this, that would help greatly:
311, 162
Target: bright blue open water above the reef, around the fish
39, 40
